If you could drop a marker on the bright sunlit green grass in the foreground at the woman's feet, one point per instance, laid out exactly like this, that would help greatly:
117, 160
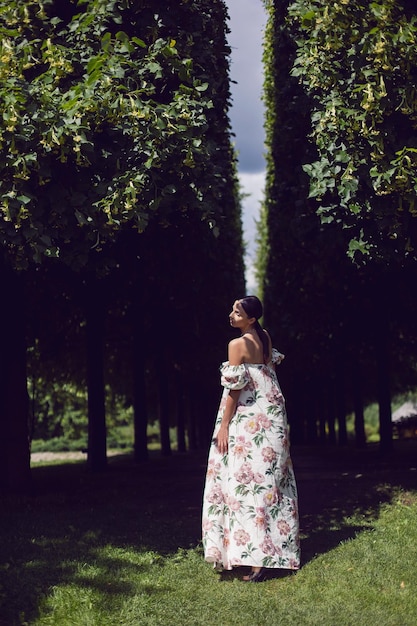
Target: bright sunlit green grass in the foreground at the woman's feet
368, 580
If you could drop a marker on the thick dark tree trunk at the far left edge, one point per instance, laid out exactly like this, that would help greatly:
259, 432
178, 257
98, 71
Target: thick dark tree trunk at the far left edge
14, 400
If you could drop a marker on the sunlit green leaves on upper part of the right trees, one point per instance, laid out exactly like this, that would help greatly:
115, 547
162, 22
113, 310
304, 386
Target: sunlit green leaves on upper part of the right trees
358, 62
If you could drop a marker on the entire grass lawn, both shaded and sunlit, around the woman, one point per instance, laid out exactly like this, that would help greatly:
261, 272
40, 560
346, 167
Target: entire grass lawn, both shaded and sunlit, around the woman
122, 548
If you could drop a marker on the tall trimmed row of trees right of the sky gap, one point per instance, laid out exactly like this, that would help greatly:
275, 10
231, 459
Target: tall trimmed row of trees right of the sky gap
338, 252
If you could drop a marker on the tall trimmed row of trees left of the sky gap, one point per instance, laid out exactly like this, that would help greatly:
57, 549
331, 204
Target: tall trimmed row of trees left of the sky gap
120, 220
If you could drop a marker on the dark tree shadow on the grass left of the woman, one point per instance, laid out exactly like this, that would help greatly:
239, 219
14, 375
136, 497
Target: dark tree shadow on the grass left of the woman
74, 515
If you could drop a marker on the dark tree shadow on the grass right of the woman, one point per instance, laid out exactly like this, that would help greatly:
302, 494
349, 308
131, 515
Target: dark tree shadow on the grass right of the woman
341, 491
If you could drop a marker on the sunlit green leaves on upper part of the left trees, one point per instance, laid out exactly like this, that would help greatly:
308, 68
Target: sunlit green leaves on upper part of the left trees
99, 127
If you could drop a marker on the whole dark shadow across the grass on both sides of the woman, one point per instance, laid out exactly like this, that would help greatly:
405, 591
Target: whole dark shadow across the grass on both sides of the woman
48, 538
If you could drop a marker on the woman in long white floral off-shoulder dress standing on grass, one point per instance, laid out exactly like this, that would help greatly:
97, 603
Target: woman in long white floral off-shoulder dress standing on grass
250, 513
